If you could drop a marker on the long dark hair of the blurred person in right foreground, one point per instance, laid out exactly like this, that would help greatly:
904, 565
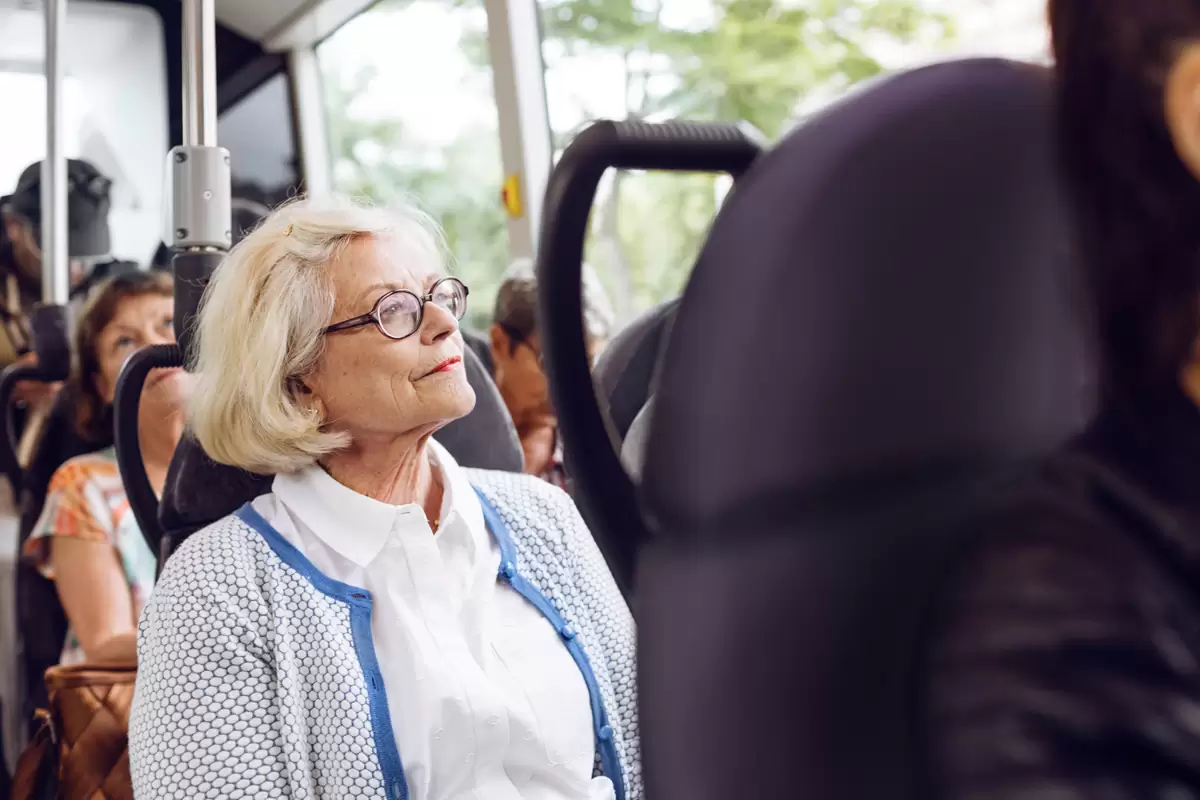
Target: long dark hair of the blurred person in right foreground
1137, 203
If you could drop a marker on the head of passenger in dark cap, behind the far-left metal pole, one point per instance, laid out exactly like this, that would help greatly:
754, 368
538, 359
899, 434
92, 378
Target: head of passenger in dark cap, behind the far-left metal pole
88, 234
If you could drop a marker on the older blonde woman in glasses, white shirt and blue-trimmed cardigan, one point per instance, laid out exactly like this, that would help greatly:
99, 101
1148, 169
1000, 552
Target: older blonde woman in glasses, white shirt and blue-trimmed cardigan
383, 624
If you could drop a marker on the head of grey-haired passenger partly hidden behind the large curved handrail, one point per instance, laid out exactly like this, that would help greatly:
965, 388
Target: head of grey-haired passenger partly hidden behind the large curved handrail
517, 339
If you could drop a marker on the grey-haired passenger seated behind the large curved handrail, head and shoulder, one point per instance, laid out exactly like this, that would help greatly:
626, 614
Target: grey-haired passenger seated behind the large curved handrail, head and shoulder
514, 354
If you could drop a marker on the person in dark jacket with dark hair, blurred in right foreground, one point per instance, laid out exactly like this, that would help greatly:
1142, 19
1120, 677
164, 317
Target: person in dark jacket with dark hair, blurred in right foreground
1069, 665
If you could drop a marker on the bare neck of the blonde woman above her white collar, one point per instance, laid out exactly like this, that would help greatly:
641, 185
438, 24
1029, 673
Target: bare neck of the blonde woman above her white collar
397, 472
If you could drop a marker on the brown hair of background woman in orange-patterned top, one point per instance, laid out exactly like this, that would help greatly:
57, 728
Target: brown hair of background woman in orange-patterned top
94, 418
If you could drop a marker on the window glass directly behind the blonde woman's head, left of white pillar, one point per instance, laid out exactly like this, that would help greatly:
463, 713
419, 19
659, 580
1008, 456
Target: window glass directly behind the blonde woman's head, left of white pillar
412, 115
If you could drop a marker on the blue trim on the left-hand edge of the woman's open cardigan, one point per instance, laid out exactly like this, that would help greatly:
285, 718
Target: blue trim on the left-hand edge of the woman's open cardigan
361, 603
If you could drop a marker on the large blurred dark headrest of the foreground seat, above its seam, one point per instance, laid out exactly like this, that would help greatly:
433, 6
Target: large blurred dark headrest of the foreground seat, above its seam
902, 260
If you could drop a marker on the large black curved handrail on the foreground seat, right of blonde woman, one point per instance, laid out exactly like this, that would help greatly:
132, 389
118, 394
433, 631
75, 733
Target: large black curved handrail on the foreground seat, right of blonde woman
676, 147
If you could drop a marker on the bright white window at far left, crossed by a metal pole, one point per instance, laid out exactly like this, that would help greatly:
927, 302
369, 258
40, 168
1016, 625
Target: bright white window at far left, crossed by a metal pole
115, 107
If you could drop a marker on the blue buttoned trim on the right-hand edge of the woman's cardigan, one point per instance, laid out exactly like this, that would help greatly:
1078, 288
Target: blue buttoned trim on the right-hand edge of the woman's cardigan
509, 573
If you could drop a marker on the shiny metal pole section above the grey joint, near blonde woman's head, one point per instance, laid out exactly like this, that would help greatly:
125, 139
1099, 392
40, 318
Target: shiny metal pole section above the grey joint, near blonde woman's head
200, 75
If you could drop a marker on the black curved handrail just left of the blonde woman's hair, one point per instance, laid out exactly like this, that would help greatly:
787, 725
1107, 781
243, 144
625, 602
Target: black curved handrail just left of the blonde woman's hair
143, 500
